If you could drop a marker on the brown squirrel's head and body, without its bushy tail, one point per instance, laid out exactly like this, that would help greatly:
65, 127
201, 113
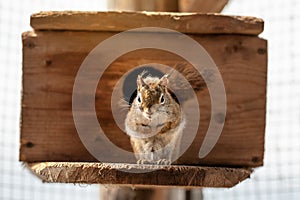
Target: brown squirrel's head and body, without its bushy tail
155, 122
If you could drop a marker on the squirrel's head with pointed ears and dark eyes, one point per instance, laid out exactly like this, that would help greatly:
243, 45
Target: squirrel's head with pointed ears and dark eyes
152, 95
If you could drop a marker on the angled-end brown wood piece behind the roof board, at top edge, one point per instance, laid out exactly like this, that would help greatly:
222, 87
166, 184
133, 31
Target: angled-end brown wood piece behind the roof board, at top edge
204, 6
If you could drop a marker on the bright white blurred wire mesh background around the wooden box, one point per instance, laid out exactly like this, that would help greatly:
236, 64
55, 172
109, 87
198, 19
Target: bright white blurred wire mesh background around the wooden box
279, 178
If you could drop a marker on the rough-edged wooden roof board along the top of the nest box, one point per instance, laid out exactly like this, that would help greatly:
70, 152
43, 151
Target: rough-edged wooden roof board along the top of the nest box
121, 21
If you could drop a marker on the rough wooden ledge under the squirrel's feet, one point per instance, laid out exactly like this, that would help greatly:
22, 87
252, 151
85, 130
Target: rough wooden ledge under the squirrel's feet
104, 173
